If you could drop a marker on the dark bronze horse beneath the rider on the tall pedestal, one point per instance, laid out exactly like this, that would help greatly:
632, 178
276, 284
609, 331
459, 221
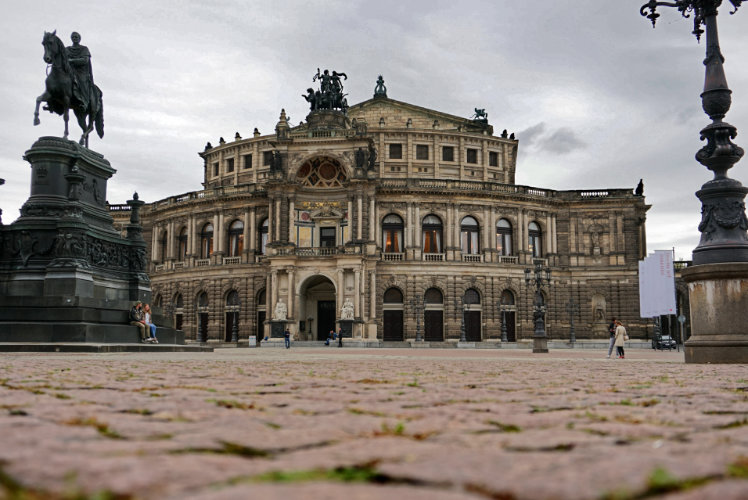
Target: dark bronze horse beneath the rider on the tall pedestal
59, 94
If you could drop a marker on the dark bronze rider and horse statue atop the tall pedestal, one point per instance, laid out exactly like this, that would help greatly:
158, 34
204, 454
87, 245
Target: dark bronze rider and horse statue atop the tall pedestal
69, 85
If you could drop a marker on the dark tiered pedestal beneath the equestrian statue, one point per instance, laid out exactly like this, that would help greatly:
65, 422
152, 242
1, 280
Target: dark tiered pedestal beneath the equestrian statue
66, 275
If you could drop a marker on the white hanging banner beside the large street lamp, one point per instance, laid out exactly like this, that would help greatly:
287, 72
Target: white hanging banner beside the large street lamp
657, 284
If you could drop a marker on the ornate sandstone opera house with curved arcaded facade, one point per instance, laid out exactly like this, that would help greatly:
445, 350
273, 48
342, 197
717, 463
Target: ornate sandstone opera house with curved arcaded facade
402, 211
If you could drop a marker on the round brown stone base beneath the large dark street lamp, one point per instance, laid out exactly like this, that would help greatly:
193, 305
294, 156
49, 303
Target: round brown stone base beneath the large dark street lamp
718, 294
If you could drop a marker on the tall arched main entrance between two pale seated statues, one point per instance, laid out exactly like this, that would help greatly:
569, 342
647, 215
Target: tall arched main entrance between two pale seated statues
317, 307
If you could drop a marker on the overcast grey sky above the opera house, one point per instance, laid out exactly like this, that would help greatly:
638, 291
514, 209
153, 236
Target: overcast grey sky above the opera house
597, 98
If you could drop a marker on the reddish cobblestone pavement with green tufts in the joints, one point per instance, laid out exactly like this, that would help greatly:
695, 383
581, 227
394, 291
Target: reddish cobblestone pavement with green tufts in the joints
365, 424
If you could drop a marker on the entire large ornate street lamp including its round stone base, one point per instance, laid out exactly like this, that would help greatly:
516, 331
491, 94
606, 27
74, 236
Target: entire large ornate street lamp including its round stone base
720, 261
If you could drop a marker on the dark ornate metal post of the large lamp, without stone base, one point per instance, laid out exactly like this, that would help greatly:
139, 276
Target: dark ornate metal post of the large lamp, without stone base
723, 221
